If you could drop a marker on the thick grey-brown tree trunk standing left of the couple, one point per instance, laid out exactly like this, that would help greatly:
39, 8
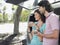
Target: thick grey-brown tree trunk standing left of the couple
16, 21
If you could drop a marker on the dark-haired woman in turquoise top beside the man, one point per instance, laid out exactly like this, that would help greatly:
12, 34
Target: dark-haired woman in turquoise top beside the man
38, 26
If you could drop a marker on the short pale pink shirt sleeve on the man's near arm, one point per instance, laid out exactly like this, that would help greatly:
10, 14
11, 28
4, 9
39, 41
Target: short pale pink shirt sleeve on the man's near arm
54, 22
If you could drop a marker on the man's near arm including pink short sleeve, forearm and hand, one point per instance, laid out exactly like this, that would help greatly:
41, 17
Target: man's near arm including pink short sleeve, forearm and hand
54, 22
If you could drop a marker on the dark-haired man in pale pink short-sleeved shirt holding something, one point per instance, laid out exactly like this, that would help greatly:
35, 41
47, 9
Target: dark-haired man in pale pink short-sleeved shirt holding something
50, 36
